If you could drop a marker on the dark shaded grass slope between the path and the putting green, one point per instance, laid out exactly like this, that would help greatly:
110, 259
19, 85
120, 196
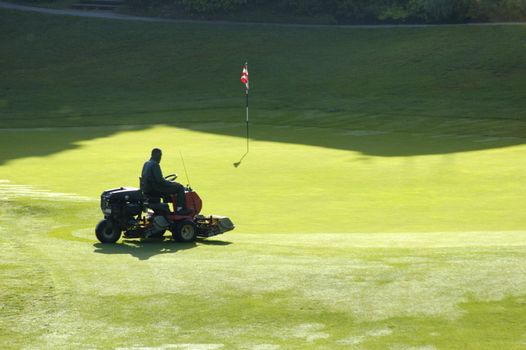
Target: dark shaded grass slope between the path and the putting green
100, 71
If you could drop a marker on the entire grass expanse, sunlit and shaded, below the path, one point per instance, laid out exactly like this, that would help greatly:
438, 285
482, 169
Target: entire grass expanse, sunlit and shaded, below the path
383, 212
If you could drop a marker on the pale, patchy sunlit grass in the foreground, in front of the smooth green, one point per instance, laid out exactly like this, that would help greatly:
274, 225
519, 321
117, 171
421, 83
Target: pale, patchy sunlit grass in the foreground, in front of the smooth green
247, 291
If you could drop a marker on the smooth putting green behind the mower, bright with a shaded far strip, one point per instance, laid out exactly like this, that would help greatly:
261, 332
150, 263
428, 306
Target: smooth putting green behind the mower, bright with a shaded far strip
291, 188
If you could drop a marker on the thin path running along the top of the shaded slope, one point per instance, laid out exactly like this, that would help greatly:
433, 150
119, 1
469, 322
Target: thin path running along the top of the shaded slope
116, 16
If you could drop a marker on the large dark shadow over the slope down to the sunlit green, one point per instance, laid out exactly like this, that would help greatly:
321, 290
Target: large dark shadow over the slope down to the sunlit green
349, 92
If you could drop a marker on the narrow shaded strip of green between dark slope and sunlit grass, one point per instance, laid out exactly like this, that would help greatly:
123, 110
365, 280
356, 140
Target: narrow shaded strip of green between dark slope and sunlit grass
393, 140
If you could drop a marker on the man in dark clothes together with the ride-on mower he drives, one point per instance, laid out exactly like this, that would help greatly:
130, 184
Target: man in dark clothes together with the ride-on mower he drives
146, 212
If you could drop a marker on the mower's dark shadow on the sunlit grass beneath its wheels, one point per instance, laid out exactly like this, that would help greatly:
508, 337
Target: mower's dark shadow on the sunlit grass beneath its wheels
144, 249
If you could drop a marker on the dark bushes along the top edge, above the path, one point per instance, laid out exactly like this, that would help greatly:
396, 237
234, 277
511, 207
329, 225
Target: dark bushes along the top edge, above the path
349, 11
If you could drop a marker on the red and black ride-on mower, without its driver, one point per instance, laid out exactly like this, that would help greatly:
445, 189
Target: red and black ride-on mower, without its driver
128, 210
